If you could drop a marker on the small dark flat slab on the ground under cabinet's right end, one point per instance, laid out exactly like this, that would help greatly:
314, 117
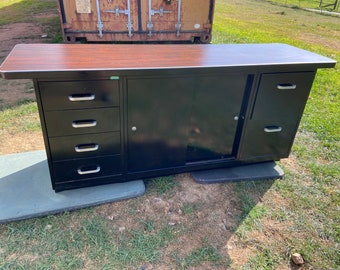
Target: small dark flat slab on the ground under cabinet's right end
259, 171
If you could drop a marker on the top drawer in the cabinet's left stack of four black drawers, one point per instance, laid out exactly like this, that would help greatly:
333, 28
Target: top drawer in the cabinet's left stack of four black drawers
79, 94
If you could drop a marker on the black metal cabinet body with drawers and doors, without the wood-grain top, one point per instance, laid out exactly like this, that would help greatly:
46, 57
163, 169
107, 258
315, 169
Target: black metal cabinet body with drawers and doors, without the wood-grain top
101, 131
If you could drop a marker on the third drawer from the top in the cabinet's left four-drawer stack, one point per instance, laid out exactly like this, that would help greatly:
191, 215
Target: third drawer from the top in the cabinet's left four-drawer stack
84, 146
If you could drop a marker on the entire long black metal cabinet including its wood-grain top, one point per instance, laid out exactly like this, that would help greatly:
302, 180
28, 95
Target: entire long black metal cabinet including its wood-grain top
124, 112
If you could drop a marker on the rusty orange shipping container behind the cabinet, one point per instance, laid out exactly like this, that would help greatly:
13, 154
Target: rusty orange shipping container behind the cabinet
136, 20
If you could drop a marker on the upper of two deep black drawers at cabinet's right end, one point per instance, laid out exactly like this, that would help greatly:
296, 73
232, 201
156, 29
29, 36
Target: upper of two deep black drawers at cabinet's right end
282, 96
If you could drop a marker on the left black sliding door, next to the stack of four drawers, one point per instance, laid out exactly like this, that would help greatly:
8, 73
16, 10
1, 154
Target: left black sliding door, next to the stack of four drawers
157, 121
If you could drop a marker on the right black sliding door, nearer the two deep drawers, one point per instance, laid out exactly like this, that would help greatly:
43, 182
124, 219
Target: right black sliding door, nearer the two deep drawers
216, 107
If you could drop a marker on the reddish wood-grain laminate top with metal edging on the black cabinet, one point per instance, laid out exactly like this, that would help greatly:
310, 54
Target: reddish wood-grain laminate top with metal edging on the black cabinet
28, 60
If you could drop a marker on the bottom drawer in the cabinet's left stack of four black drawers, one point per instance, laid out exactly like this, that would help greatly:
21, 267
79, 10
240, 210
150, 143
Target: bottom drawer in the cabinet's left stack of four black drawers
81, 169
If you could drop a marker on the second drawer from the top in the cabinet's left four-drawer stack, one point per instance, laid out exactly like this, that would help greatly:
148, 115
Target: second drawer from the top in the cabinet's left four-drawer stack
62, 123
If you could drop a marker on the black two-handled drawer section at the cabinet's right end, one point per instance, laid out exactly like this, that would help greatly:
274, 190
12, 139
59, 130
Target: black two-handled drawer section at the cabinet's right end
277, 110
